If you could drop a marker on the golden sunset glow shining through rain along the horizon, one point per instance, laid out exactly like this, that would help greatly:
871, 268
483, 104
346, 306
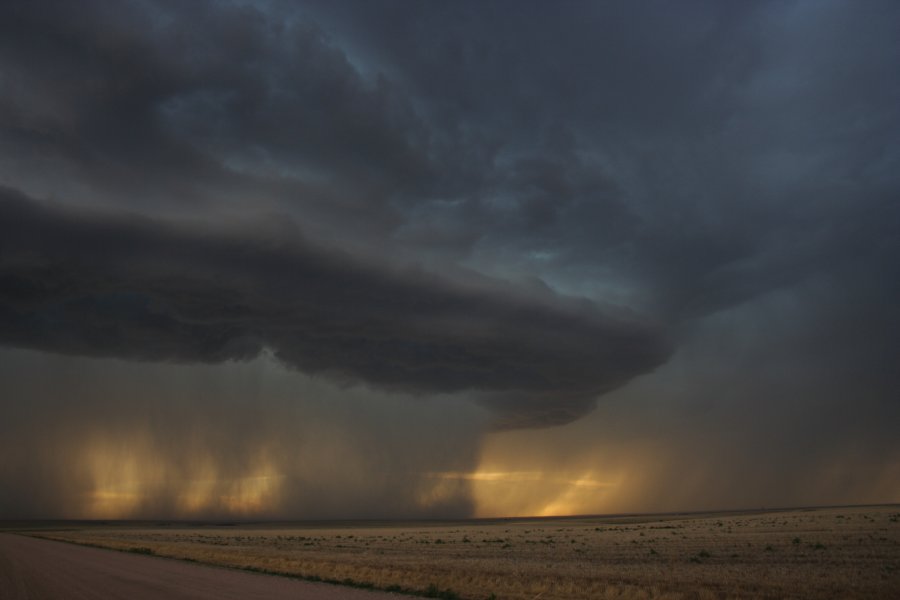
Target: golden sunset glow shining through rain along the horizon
133, 475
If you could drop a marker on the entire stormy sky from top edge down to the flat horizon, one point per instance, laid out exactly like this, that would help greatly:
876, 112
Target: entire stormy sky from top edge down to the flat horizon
399, 259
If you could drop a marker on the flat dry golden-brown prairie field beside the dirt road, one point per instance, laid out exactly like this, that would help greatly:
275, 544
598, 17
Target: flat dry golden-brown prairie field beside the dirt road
851, 552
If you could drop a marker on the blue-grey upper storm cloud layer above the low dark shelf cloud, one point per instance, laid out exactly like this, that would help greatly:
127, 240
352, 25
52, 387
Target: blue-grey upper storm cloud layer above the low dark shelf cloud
680, 162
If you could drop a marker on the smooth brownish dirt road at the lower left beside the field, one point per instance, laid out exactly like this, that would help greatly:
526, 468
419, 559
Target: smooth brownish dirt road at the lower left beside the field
33, 569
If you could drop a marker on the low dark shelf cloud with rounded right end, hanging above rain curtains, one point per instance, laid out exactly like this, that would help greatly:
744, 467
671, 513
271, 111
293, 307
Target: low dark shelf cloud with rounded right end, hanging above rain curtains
115, 285
